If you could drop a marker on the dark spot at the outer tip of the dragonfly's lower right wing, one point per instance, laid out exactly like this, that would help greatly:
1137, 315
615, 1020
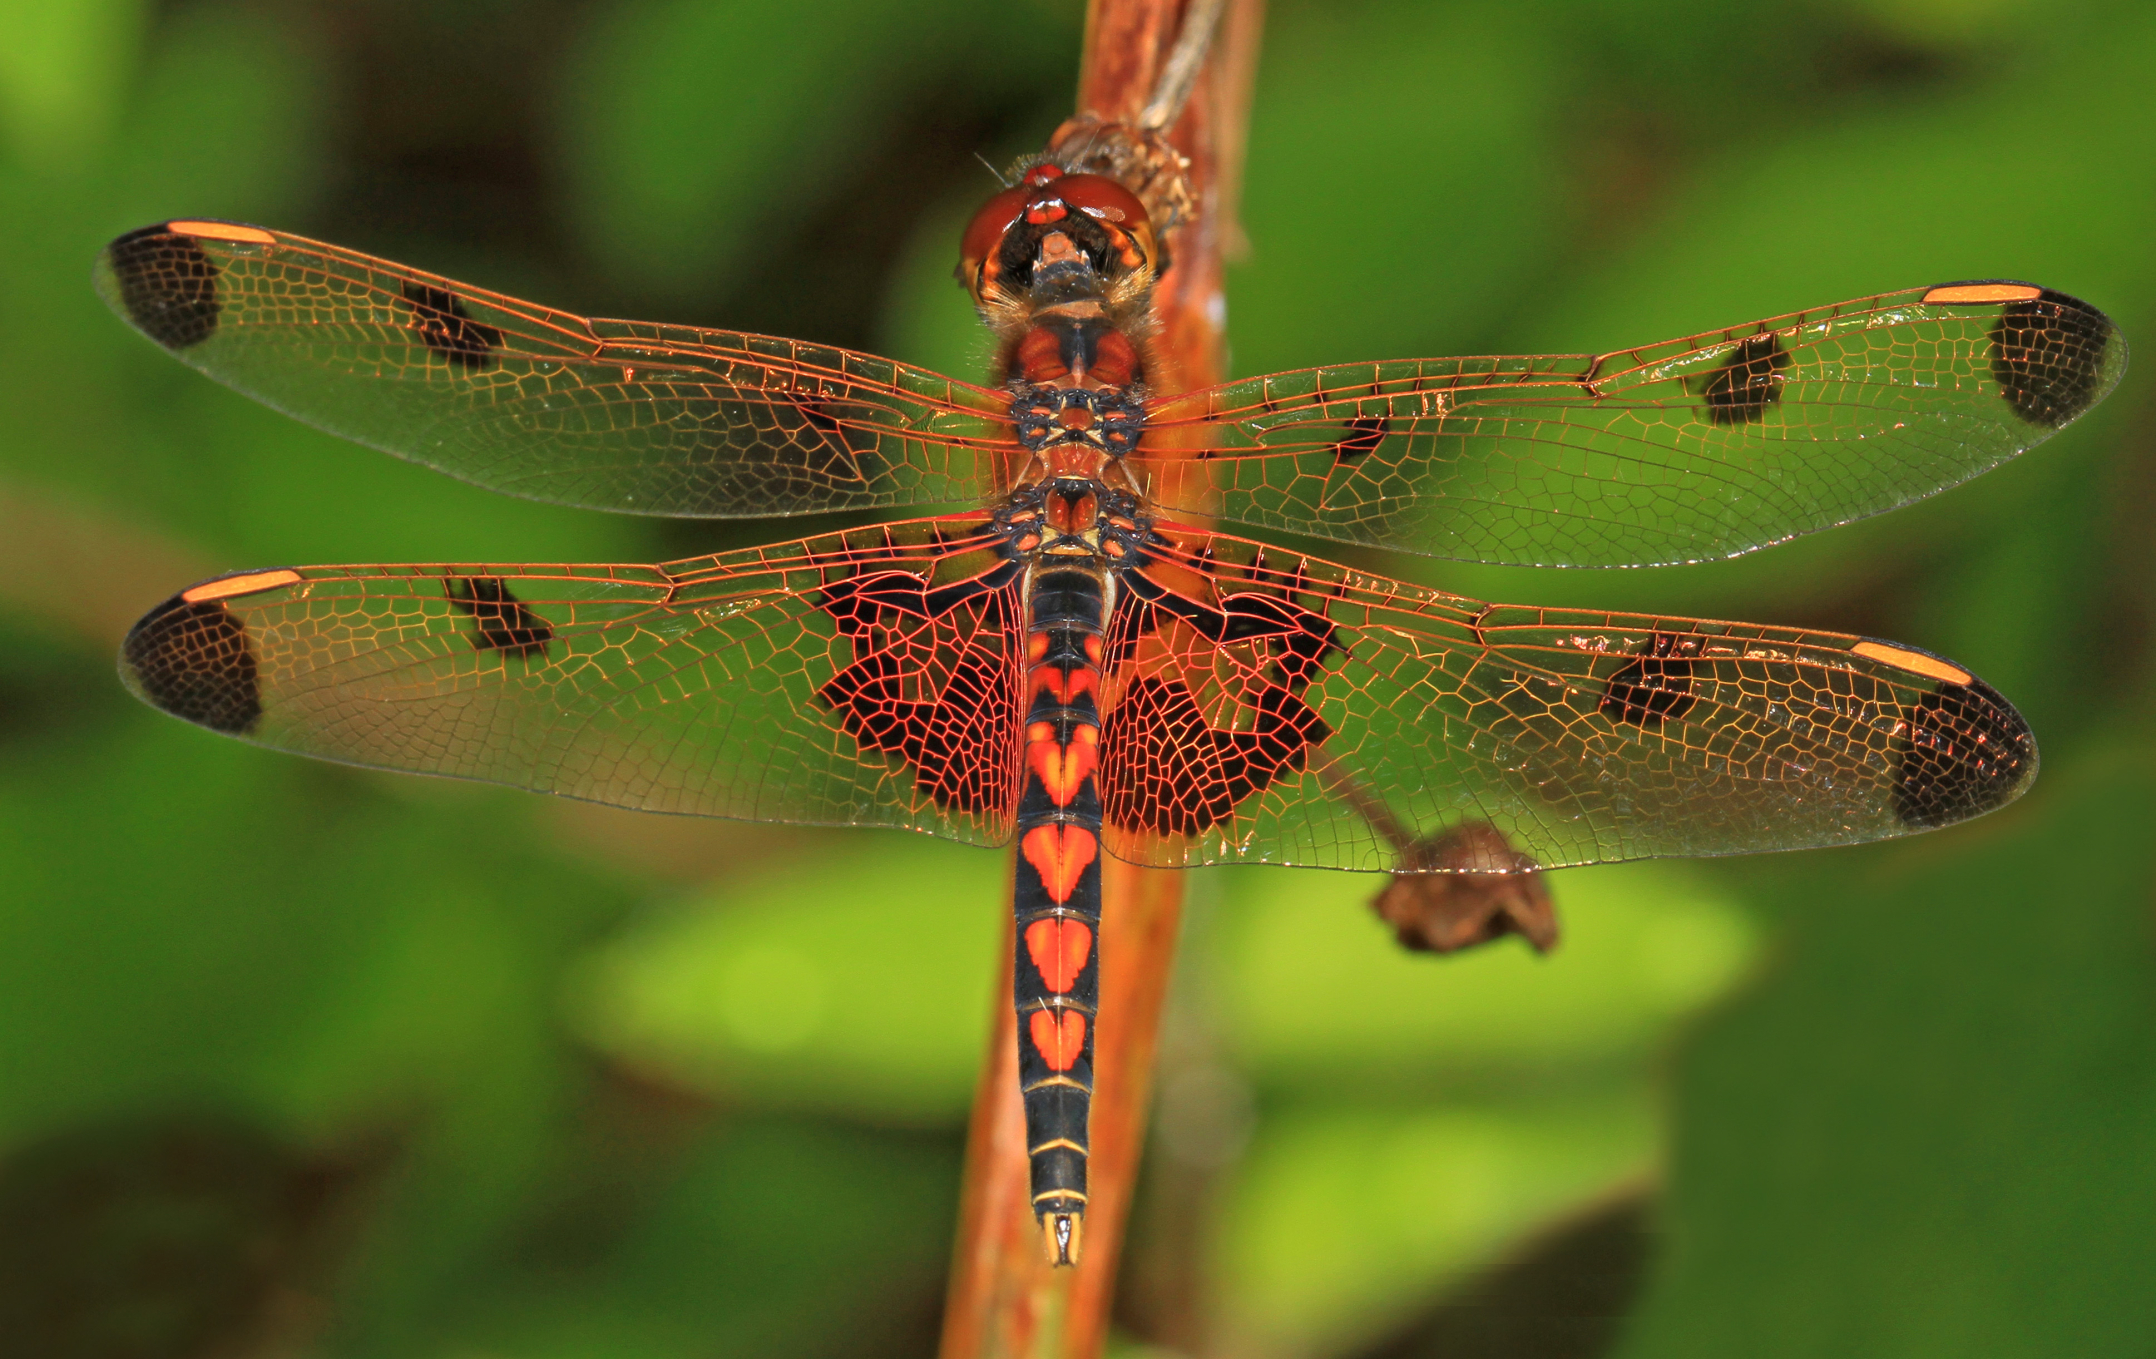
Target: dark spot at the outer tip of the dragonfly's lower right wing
1967, 754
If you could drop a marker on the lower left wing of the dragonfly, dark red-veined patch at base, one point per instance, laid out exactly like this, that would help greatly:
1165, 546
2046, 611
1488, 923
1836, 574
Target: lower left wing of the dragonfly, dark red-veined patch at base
859, 681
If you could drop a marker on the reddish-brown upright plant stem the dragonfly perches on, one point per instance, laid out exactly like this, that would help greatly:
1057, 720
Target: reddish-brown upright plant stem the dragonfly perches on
1006, 1300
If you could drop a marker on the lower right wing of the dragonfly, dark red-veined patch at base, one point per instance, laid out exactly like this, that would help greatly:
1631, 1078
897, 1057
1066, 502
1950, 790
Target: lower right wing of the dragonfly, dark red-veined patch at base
1271, 709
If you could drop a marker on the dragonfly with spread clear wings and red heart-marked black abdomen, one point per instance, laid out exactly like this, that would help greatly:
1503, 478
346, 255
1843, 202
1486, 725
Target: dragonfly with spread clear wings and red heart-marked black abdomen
1068, 655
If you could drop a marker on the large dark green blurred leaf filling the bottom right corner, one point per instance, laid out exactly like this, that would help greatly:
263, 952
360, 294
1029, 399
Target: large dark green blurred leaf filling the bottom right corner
1935, 1129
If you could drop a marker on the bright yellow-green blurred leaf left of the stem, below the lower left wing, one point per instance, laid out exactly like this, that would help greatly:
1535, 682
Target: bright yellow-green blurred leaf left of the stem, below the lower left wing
857, 976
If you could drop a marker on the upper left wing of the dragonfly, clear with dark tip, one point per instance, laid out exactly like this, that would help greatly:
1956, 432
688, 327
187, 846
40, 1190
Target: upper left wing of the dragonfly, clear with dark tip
544, 404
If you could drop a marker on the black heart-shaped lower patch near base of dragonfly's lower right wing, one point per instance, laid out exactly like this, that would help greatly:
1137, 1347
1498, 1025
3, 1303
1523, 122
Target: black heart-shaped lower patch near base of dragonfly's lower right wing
1165, 771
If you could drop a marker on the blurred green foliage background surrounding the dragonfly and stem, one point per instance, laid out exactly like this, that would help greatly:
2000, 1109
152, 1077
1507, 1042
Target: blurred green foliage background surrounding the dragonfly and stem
299, 1060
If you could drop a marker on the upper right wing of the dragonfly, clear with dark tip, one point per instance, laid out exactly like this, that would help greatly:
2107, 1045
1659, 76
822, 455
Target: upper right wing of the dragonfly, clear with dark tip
1683, 452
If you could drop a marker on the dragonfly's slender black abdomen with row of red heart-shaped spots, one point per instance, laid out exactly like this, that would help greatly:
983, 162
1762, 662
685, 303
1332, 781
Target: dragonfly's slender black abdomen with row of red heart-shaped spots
1055, 896
